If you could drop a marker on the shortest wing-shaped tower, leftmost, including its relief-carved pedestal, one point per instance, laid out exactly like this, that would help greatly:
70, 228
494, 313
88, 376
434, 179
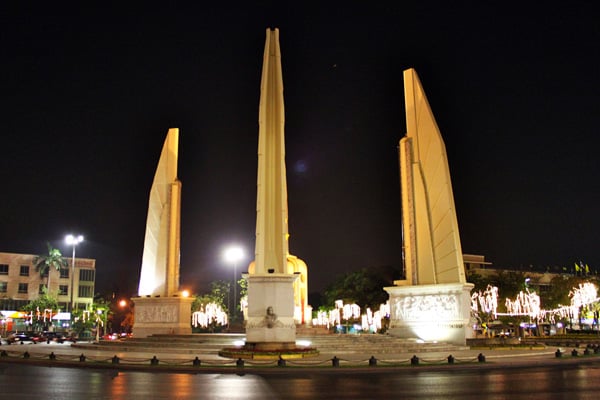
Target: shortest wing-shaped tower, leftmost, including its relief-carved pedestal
160, 308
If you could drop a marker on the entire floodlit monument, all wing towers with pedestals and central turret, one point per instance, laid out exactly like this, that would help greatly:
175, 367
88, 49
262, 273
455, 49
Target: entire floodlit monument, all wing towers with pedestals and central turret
431, 303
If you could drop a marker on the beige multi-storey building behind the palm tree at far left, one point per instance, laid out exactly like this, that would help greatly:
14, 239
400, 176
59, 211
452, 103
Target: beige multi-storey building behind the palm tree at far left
20, 282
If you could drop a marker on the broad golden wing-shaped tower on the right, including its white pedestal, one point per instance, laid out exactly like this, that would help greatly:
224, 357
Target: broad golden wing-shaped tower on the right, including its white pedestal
433, 302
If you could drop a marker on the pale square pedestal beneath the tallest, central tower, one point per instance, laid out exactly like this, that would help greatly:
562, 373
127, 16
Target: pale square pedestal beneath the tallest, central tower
270, 324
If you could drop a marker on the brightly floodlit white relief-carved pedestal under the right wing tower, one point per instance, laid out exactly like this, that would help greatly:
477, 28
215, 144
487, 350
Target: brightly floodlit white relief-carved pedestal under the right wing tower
431, 312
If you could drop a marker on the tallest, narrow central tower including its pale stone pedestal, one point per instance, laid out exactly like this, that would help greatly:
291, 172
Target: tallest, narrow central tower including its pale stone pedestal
270, 323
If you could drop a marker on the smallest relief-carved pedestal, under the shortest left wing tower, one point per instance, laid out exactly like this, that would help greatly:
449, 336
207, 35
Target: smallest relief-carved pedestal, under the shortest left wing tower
162, 315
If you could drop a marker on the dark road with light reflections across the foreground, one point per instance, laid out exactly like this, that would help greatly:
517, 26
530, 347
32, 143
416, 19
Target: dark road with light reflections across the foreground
556, 382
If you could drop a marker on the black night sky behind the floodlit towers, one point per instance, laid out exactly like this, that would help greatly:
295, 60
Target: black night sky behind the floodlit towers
87, 97
